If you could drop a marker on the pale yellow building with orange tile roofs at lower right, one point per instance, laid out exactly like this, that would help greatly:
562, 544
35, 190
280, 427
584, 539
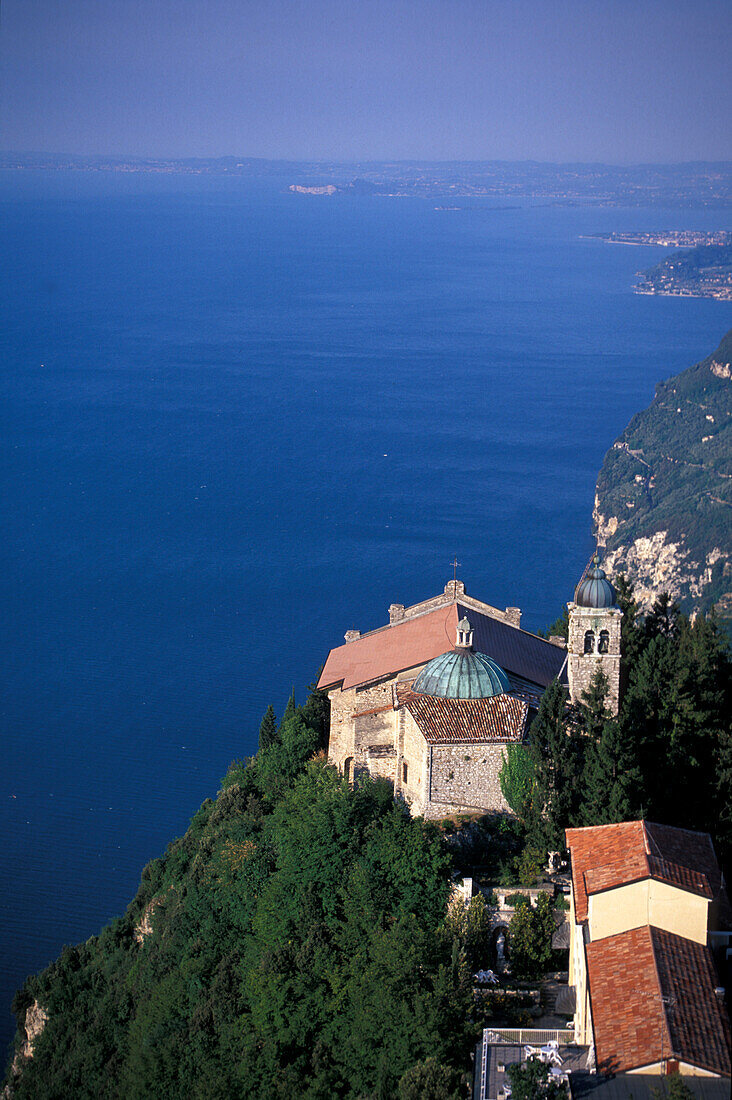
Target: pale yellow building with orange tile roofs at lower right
646, 899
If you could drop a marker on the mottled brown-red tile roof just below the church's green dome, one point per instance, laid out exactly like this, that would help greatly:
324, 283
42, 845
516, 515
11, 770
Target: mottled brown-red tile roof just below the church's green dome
458, 721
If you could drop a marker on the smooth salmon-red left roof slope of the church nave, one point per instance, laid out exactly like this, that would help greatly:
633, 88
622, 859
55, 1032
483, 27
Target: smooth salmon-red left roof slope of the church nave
385, 653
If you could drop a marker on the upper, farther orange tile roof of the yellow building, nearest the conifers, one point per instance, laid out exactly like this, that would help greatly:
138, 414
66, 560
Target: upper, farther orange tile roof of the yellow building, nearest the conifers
607, 856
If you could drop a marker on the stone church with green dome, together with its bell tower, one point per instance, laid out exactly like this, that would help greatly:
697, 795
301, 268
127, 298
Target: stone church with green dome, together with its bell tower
431, 700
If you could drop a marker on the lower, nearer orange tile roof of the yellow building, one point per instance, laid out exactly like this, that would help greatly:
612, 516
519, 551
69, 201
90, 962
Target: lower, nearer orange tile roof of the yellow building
653, 998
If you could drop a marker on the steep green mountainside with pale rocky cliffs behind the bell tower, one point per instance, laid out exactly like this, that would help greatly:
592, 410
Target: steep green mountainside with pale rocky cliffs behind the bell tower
664, 498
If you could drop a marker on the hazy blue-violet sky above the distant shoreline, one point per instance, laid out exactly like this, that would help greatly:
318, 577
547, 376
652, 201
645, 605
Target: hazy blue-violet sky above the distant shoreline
618, 81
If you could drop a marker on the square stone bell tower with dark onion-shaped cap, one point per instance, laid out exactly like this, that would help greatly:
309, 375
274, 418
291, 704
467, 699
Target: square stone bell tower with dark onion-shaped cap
594, 642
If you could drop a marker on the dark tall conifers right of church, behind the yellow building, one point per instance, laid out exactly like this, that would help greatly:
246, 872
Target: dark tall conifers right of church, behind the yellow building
668, 756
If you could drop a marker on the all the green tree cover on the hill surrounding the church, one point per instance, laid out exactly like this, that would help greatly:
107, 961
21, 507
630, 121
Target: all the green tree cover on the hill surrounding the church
298, 941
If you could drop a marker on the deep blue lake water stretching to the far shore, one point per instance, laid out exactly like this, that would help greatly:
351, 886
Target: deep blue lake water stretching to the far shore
238, 422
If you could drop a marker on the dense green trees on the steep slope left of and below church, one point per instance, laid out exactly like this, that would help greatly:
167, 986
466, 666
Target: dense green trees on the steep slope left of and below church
298, 948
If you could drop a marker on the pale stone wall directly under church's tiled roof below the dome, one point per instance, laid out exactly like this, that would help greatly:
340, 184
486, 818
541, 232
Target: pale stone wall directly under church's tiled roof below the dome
466, 777
